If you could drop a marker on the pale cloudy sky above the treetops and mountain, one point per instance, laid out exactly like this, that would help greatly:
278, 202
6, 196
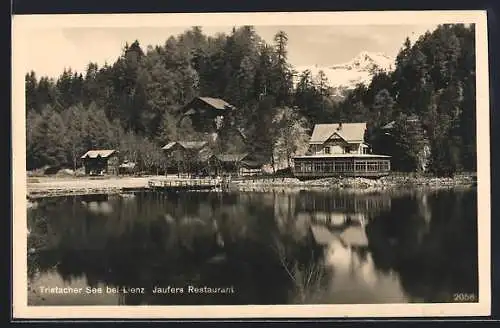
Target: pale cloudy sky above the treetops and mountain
50, 50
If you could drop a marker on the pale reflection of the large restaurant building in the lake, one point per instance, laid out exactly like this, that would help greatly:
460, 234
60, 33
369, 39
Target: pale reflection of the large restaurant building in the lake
337, 224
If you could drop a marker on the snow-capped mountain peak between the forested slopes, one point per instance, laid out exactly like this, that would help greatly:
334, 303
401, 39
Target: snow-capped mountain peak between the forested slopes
360, 69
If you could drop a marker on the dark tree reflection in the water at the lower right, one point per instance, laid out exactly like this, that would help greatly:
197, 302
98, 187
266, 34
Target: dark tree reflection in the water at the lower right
433, 247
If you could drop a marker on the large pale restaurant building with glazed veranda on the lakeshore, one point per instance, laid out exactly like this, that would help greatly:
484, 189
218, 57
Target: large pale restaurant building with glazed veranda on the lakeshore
340, 150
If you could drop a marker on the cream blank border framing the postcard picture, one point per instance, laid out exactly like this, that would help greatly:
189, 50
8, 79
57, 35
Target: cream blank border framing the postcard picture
22, 24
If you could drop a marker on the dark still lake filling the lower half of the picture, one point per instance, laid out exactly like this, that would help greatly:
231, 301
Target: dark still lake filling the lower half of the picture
211, 248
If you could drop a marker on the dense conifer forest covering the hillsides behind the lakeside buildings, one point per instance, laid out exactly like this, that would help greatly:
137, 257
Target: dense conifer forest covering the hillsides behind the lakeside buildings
133, 104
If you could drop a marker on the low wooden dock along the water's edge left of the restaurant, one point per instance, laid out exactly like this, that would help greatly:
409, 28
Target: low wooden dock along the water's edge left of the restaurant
179, 184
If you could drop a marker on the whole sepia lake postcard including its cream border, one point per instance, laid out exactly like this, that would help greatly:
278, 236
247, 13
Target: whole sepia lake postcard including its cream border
251, 165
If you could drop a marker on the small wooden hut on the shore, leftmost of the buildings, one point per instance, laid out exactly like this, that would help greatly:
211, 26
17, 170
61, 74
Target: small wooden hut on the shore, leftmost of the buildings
98, 162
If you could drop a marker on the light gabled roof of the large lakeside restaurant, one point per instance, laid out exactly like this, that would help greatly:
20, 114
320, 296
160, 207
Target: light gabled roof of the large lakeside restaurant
350, 132
